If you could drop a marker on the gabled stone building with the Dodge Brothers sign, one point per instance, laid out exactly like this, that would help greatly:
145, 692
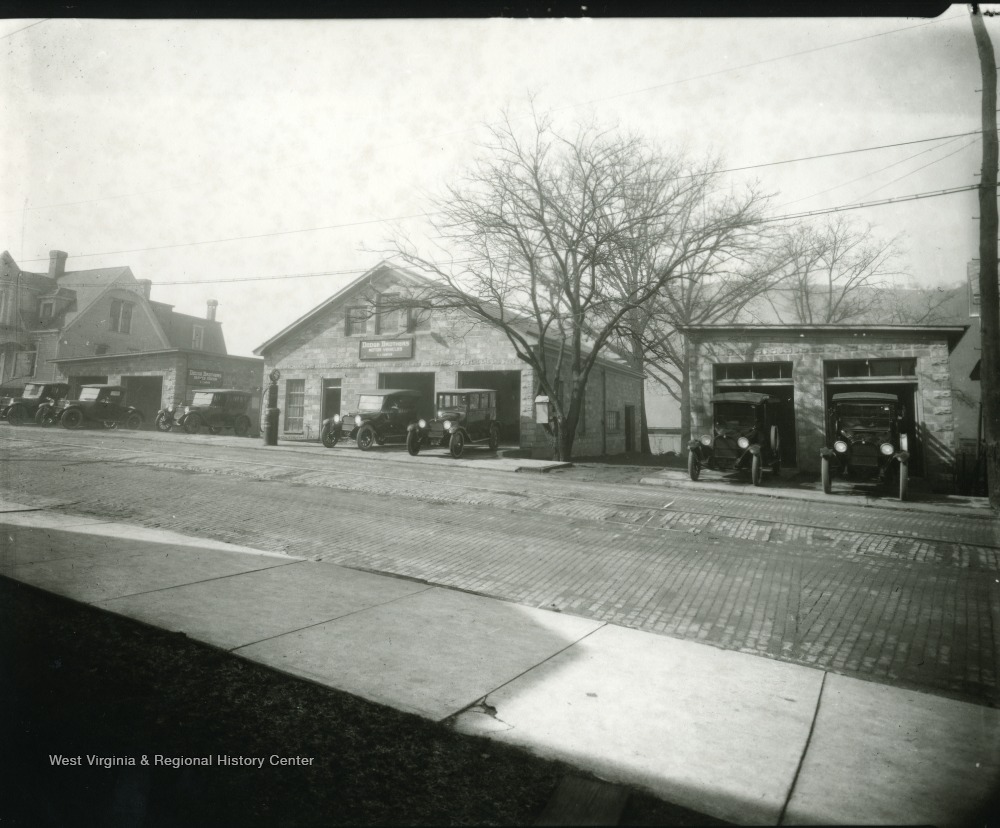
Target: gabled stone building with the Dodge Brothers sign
342, 347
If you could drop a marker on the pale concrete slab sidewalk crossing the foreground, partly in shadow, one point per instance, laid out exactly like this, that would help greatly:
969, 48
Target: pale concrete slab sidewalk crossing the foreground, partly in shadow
740, 737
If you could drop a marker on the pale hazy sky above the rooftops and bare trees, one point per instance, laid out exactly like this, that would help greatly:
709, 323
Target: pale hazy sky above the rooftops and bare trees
265, 164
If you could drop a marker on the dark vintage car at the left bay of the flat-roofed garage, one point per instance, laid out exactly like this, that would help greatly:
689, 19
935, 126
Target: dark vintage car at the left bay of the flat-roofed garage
743, 436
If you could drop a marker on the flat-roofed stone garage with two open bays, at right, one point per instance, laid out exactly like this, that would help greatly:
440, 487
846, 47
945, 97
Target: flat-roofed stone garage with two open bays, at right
804, 365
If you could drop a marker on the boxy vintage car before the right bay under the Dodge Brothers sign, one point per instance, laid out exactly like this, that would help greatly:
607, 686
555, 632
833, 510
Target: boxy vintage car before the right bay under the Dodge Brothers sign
466, 416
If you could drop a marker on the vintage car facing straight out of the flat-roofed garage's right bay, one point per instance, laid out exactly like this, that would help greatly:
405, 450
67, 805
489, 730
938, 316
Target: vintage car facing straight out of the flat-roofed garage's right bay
863, 429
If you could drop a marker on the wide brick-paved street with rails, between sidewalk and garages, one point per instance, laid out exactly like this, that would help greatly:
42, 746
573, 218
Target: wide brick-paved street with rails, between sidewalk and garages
903, 597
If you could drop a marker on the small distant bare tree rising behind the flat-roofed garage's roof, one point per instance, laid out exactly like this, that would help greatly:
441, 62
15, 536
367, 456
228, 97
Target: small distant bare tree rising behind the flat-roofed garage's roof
833, 273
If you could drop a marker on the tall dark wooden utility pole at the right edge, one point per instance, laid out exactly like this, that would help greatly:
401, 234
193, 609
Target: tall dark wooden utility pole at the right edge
989, 288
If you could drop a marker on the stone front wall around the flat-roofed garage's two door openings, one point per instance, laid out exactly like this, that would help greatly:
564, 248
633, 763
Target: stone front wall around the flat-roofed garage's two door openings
933, 401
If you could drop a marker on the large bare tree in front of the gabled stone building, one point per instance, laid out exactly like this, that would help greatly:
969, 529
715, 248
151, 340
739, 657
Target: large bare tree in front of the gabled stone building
531, 241
